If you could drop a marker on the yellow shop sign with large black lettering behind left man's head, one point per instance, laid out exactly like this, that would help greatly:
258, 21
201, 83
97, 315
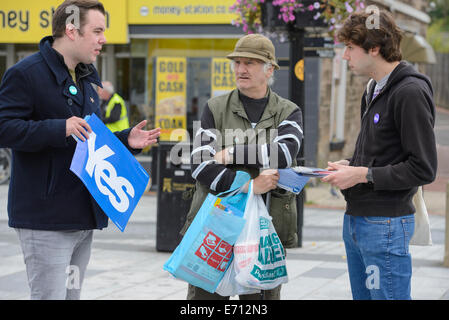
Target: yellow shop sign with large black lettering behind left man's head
26, 21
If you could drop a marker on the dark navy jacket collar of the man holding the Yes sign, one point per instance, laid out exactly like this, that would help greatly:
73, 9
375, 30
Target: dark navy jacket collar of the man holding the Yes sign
58, 67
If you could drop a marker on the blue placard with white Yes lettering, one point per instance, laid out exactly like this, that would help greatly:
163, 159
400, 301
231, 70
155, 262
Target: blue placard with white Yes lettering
114, 178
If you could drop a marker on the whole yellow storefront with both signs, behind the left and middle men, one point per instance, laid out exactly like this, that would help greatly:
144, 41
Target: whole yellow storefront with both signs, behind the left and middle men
164, 57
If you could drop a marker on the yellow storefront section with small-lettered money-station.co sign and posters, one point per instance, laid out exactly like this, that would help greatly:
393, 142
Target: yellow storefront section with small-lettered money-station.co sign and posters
182, 45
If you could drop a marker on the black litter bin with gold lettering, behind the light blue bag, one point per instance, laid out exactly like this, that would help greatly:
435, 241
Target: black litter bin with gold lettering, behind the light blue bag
174, 195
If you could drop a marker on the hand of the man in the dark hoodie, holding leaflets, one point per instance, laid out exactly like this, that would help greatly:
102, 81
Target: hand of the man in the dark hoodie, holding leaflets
345, 176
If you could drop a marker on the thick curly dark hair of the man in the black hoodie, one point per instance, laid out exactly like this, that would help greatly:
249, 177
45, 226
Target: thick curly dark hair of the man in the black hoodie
387, 36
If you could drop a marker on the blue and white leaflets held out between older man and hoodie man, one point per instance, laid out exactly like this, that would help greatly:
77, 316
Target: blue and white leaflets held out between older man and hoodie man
294, 179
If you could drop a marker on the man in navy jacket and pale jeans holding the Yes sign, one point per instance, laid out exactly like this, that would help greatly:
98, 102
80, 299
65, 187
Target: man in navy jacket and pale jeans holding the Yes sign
43, 100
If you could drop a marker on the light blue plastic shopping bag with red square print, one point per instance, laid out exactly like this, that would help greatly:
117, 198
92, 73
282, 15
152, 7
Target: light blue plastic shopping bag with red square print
205, 251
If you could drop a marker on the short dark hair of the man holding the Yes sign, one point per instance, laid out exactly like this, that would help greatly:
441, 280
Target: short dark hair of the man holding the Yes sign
60, 16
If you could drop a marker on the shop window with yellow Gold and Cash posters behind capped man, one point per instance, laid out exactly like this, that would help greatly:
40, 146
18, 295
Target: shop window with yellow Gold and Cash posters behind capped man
186, 68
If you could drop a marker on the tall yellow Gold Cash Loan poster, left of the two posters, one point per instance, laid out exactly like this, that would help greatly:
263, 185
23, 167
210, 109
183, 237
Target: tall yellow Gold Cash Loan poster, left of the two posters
171, 98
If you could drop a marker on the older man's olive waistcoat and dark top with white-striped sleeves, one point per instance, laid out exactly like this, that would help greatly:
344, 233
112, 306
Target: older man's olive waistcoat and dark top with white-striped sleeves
266, 133
